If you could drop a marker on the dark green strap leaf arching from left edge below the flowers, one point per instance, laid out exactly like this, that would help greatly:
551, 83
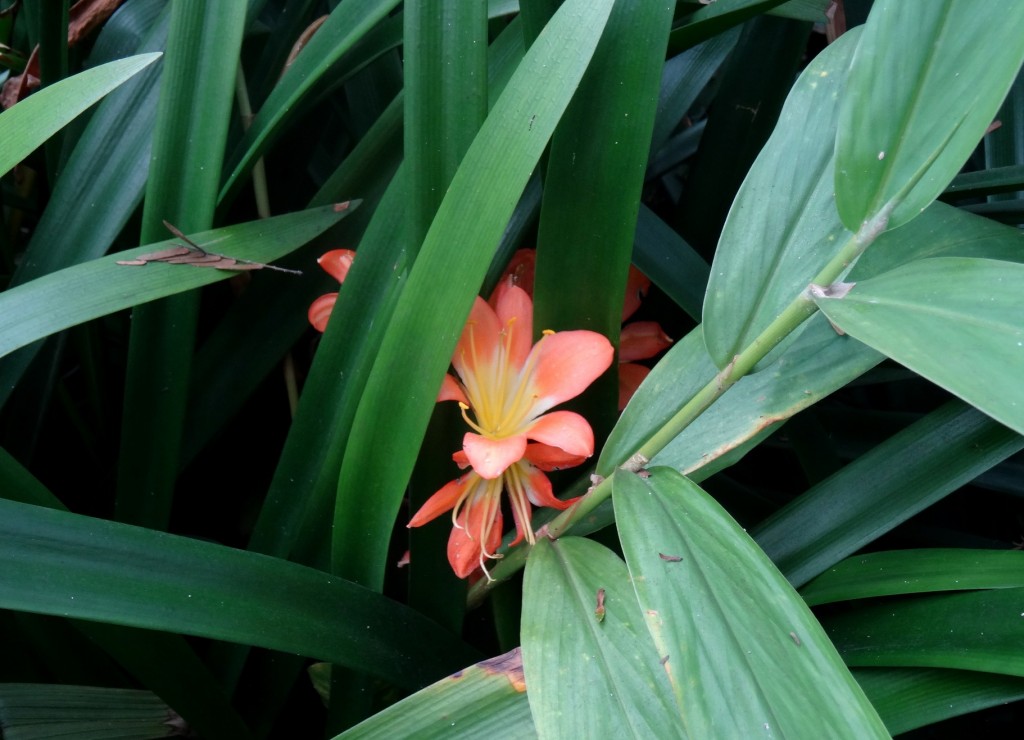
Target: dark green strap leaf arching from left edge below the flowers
70, 565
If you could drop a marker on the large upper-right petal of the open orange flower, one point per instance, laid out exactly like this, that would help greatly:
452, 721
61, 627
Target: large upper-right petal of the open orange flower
567, 364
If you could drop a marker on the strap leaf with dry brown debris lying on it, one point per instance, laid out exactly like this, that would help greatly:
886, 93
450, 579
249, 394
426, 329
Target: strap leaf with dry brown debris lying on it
74, 295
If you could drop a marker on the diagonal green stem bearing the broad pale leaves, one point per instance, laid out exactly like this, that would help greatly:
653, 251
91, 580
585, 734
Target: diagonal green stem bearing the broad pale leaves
802, 309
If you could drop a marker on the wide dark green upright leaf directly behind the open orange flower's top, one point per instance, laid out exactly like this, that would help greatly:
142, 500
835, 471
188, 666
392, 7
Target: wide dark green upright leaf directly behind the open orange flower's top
593, 182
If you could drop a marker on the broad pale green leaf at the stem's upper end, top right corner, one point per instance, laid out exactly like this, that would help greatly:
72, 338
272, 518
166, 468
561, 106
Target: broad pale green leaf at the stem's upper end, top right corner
901, 140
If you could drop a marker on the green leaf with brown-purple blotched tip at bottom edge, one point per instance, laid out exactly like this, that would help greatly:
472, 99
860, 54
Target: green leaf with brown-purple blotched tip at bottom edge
485, 701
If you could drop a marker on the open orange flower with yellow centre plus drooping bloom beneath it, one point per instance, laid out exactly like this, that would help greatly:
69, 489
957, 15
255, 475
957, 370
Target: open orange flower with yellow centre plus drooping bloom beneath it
510, 384
